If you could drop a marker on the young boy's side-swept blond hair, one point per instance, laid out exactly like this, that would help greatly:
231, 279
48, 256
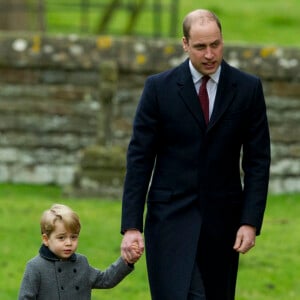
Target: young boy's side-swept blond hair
62, 213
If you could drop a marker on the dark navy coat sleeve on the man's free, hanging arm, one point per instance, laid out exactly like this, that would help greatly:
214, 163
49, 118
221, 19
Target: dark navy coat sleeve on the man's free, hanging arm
256, 162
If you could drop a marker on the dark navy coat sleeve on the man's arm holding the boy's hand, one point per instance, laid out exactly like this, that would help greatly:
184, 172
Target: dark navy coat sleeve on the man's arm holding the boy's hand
140, 158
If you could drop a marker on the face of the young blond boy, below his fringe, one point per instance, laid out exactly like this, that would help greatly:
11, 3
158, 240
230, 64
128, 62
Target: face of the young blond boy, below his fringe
61, 242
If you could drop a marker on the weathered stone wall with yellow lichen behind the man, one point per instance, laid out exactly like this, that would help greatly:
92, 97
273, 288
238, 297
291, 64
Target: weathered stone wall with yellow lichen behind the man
60, 96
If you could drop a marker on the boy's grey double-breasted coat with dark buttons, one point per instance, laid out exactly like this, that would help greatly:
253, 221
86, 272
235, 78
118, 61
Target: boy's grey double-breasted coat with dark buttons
53, 279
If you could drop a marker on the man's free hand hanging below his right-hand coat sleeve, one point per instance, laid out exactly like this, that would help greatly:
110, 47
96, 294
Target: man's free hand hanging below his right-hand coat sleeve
245, 239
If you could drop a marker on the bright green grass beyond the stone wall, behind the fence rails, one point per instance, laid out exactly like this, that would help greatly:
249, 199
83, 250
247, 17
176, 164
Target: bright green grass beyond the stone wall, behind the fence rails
274, 22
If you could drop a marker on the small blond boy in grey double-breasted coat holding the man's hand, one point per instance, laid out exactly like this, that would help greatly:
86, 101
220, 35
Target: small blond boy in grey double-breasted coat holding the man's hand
60, 273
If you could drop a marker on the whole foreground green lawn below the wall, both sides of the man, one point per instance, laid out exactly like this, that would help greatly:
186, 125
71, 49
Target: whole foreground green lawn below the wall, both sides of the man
270, 271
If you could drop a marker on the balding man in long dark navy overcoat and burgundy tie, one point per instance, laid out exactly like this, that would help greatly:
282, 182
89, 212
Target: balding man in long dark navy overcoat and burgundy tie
201, 212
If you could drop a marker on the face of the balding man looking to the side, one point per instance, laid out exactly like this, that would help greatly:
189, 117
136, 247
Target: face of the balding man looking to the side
204, 47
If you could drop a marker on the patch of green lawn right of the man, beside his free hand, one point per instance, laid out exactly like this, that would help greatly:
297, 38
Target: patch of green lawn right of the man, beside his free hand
271, 270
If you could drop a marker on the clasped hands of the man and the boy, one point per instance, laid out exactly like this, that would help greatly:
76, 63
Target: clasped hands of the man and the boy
132, 246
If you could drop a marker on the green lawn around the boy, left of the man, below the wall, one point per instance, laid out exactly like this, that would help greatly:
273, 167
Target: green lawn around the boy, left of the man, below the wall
20, 210
